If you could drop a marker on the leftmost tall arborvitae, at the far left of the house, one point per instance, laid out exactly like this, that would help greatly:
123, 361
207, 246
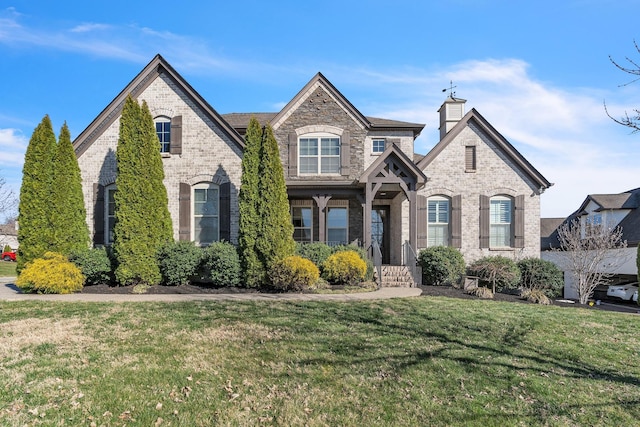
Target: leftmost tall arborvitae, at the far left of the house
34, 211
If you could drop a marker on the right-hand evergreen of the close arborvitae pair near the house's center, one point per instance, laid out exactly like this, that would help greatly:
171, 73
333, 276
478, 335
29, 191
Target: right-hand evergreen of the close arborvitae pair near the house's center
275, 237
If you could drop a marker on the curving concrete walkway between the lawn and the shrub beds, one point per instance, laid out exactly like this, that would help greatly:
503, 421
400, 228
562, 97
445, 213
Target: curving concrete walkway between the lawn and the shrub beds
9, 292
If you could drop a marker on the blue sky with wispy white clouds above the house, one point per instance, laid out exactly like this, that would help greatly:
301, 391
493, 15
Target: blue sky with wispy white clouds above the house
538, 71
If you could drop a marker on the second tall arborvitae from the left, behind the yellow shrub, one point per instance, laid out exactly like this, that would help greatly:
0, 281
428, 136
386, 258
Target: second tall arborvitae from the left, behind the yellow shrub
68, 214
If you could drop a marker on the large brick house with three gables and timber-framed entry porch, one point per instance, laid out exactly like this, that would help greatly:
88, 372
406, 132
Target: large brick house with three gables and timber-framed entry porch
350, 177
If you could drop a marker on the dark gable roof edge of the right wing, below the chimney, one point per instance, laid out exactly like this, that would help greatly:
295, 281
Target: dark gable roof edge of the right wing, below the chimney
501, 142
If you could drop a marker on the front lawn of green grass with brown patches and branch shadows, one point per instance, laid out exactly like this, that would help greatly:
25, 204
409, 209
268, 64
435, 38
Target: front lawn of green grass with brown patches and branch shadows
411, 362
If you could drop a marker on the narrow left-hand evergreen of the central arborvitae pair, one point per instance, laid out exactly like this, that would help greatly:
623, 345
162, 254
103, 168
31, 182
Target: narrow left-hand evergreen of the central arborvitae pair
247, 204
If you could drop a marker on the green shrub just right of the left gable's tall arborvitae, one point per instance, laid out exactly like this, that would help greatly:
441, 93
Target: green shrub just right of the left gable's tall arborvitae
179, 262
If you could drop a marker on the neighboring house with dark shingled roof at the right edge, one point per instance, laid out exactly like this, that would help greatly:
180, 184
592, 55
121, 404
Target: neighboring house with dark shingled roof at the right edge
614, 210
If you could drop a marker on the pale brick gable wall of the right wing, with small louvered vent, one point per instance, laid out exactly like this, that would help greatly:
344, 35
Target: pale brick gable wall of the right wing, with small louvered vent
495, 175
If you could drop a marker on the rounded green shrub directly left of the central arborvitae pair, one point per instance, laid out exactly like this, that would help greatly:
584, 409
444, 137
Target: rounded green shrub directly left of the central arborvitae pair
221, 264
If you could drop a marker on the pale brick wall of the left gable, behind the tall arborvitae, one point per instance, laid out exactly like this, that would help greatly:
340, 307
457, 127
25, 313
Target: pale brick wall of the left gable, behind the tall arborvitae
207, 153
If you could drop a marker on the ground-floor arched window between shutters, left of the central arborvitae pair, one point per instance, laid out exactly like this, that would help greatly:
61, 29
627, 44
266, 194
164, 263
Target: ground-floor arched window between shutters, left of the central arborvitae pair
206, 217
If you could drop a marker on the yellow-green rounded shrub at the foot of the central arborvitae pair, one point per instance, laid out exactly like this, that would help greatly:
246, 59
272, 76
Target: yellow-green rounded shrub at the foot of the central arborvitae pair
293, 273
